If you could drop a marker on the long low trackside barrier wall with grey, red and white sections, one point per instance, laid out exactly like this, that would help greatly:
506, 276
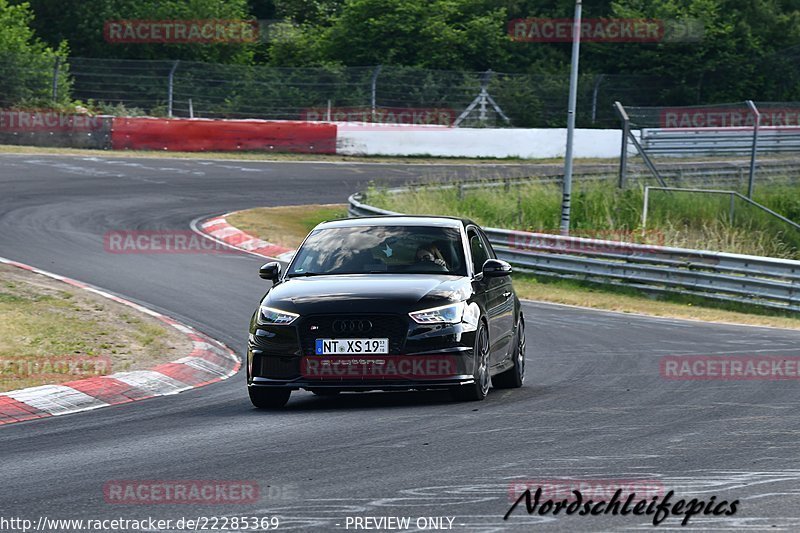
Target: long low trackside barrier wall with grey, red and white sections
43, 128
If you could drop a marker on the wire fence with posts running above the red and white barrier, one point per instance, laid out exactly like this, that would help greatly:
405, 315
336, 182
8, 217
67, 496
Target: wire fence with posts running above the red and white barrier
194, 89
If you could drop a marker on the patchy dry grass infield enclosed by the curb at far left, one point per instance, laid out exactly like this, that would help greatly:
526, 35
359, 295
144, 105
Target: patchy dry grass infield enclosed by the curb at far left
51, 333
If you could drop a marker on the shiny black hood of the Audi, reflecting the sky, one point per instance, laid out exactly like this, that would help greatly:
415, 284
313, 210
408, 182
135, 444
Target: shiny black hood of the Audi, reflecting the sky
367, 293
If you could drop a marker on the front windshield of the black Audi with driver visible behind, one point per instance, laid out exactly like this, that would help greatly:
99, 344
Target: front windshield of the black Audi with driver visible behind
380, 249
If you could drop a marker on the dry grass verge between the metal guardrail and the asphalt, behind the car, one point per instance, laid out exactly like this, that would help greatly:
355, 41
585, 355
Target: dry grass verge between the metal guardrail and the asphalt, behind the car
289, 225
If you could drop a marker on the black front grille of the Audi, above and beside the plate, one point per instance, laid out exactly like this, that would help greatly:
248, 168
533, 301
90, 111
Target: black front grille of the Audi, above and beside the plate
393, 327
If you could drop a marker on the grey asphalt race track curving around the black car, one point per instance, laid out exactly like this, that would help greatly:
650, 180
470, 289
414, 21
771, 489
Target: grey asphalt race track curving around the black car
594, 406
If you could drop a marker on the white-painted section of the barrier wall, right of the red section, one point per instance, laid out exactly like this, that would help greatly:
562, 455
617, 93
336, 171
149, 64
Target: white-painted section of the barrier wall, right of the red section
474, 142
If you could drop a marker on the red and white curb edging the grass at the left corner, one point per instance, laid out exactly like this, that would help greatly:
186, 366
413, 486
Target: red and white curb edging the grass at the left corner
210, 361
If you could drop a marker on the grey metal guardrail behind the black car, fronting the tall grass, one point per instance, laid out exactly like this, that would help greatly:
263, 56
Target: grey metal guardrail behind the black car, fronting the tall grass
763, 281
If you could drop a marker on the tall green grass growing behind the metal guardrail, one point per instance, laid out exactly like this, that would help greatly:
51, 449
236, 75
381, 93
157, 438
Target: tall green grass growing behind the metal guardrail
601, 210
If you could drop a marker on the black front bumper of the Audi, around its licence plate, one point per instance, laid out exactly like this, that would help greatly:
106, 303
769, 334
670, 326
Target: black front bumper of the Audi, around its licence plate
282, 356
